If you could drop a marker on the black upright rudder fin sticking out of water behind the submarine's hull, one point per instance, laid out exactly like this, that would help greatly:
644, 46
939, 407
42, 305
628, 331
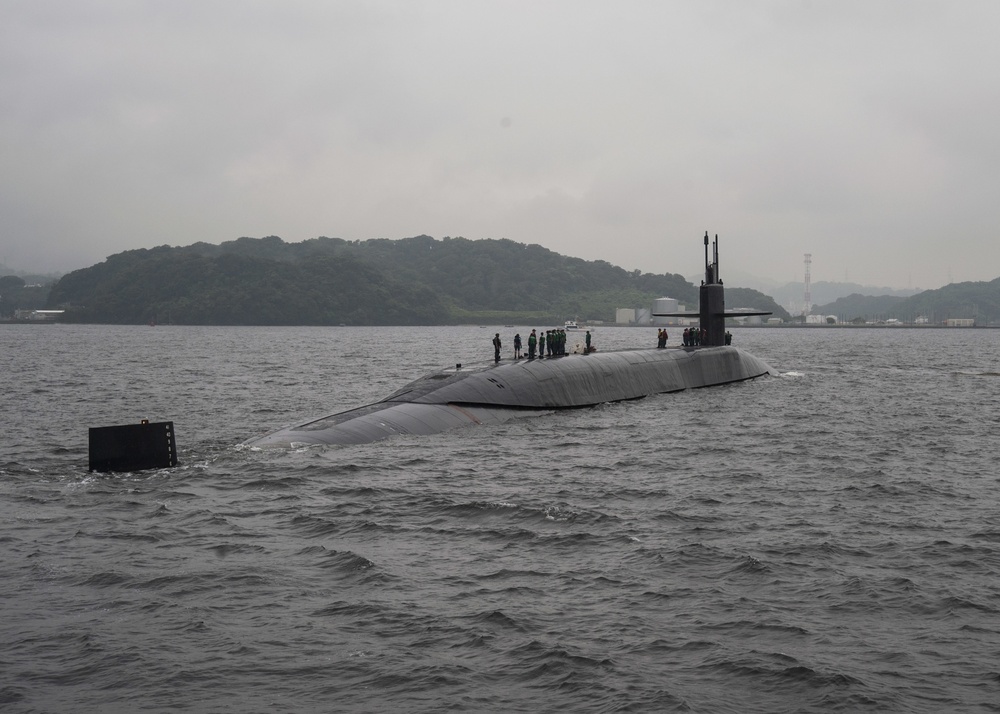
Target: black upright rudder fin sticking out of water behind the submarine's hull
133, 447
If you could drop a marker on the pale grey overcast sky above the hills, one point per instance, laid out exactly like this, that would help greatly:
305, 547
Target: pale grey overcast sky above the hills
863, 132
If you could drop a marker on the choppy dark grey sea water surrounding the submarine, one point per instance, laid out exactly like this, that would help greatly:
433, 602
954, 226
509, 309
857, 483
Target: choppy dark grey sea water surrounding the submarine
827, 539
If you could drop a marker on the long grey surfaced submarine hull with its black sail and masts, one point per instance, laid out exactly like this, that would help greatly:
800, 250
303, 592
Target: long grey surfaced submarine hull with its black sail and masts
493, 392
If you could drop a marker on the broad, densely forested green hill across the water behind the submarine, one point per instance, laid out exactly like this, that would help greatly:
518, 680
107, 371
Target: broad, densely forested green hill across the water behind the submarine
329, 281
